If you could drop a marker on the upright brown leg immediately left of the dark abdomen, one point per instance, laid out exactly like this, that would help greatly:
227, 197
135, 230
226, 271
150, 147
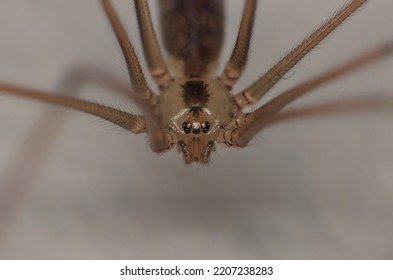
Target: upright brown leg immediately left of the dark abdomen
153, 56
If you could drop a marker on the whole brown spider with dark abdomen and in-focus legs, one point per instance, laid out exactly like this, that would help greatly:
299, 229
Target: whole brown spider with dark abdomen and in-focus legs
196, 109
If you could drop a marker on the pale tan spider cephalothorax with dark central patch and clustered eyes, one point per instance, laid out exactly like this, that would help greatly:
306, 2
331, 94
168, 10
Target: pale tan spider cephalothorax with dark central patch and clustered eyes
194, 121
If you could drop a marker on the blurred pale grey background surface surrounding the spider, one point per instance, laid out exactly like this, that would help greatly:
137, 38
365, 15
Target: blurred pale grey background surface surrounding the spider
314, 188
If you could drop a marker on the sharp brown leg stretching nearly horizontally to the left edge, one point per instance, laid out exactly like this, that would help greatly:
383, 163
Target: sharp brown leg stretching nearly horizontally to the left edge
128, 121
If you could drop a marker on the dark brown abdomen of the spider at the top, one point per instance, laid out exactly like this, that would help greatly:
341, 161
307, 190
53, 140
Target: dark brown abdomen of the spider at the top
193, 32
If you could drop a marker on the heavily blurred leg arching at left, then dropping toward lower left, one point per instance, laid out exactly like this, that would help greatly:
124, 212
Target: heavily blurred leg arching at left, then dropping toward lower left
21, 172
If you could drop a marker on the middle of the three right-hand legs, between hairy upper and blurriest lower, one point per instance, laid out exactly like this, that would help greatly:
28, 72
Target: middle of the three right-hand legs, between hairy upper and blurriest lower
258, 119
